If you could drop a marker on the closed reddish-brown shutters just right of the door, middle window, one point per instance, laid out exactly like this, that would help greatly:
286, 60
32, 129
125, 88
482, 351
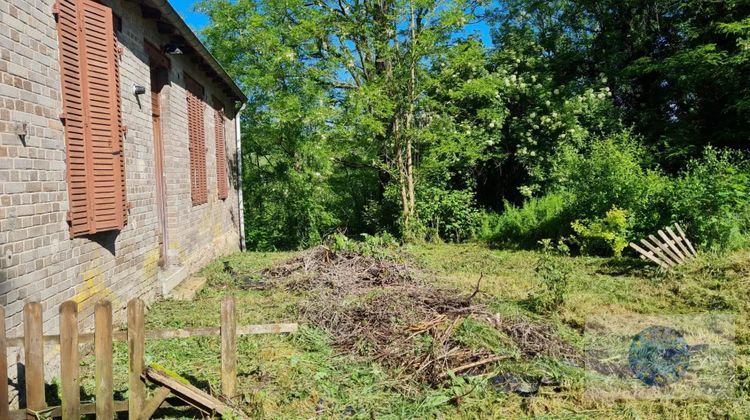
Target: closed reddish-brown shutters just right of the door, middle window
197, 141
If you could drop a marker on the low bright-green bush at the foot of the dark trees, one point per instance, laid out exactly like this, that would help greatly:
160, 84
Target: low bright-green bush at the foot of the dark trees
539, 218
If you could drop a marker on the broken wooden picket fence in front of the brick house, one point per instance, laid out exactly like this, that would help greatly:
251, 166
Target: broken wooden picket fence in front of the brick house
105, 407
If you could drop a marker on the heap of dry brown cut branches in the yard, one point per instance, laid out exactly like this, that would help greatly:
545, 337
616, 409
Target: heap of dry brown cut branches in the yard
375, 307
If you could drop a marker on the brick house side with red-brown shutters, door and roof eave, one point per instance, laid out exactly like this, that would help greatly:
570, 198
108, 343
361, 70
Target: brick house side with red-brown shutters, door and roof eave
118, 155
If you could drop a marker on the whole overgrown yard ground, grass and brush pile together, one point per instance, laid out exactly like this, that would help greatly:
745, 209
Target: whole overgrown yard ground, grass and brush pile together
333, 370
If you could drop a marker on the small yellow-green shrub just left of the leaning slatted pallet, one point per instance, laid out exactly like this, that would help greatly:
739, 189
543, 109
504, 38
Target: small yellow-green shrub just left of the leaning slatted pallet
606, 235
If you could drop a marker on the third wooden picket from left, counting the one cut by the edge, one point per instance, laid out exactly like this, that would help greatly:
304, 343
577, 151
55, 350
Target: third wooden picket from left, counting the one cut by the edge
71, 398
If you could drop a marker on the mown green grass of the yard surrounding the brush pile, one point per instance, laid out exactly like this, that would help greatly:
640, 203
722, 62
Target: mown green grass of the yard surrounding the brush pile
302, 376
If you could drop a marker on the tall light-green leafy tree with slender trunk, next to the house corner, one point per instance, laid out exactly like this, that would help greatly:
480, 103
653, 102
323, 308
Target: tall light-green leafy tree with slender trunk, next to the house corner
336, 86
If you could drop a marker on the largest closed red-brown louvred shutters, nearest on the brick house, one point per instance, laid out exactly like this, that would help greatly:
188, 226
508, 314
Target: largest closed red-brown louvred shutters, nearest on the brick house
91, 116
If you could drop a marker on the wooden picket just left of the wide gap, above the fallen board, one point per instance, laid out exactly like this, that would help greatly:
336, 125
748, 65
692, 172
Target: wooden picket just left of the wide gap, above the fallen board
136, 350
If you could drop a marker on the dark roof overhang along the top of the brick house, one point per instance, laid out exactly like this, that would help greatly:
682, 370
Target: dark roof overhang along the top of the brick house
169, 22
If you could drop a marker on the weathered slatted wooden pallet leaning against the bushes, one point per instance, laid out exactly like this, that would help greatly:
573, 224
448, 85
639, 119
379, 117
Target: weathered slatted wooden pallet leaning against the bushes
671, 250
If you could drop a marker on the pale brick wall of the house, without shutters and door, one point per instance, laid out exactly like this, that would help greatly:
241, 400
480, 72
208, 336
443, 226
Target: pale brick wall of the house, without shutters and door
38, 259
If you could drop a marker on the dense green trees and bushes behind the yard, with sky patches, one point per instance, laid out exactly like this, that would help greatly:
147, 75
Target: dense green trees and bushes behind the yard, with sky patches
395, 117
